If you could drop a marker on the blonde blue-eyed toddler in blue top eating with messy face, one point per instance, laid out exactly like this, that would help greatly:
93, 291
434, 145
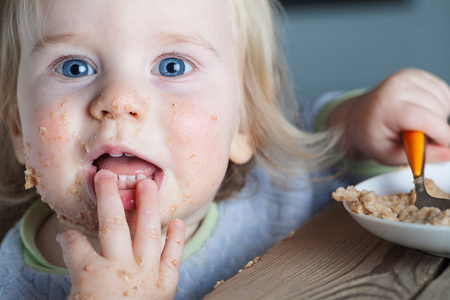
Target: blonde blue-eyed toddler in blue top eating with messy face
158, 143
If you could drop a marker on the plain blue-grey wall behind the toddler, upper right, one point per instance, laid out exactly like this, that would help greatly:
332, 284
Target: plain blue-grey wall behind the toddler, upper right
342, 45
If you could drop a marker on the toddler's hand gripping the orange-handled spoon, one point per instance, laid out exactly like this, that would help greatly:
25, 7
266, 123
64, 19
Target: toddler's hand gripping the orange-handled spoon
410, 99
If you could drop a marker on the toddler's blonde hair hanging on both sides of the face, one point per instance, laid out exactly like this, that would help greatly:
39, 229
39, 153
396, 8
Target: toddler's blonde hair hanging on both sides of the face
279, 145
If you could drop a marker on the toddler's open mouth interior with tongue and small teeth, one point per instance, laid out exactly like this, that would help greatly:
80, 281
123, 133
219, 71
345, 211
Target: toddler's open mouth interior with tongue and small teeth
129, 169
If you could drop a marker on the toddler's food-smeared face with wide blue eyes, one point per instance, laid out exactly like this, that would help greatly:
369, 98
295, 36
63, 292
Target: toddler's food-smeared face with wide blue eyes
143, 88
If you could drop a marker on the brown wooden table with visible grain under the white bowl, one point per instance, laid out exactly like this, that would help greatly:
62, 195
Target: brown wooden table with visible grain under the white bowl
333, 257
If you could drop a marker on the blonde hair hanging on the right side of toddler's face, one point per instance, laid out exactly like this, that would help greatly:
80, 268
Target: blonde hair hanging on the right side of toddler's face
270, 113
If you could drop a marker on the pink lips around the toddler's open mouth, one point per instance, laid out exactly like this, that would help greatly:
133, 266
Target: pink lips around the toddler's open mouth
91, 169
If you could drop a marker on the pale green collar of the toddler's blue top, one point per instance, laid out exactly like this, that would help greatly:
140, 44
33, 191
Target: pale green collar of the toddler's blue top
35, 216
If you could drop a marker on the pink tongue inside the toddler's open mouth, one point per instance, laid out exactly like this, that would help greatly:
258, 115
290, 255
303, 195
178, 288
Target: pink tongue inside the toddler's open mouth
125, 165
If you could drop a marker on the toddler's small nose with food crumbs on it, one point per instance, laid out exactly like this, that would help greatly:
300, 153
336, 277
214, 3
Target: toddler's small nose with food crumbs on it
118, 104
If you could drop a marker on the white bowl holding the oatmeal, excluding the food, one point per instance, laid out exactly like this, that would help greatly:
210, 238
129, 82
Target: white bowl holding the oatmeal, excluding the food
432, 239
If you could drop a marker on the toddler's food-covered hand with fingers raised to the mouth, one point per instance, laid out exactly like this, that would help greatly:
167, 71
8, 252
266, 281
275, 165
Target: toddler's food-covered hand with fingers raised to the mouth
136, 270
